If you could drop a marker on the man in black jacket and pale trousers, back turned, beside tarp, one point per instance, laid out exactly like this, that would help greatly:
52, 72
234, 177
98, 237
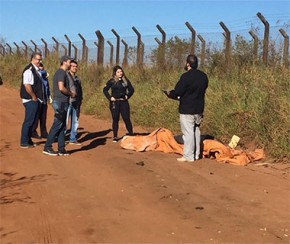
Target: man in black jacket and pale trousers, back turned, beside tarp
190, 91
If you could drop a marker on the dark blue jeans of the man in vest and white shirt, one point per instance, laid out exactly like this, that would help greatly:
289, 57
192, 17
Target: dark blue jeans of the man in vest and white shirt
31, 109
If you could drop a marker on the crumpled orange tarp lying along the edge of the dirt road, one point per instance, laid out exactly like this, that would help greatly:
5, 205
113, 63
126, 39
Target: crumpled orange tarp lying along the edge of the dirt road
162, 140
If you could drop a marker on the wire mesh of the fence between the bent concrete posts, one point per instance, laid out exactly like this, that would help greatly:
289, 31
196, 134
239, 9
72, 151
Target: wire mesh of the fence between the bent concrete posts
213, 38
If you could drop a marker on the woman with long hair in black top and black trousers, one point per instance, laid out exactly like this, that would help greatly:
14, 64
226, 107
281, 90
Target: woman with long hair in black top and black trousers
121, 91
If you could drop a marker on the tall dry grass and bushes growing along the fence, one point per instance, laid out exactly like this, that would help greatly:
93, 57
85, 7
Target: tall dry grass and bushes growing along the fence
247, 99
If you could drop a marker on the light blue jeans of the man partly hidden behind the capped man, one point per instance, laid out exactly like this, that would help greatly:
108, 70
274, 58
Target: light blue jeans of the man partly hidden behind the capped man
74, 113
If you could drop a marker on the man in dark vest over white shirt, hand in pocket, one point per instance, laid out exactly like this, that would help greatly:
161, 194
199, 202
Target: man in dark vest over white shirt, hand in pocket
31, 93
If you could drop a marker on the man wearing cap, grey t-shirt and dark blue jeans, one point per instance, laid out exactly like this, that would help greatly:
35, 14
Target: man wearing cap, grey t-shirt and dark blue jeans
61, 94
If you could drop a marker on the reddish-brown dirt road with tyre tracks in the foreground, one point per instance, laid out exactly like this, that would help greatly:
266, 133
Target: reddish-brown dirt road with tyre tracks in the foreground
102, 193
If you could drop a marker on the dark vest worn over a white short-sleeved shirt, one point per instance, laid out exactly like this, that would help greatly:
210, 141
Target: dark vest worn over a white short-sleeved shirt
37, 87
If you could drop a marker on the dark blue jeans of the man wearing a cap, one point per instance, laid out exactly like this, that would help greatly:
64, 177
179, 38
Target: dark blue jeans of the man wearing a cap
58, 127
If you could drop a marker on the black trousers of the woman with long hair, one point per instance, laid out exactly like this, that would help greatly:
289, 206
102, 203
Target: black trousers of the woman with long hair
123, 108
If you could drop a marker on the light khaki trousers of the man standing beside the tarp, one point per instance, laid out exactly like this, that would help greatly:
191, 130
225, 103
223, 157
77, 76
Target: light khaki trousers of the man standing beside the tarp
191, 135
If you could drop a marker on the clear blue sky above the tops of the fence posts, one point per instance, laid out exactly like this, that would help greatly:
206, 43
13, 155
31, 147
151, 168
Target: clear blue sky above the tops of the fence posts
23, 20
